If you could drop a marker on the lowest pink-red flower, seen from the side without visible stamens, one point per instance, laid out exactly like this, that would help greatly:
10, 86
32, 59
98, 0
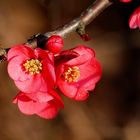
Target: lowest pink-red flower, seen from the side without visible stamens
47, 109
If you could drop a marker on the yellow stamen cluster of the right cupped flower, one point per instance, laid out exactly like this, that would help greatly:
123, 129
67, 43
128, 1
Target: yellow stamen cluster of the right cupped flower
71, 74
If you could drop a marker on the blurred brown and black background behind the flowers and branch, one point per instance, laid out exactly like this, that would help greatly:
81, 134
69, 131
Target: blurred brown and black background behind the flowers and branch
113, 110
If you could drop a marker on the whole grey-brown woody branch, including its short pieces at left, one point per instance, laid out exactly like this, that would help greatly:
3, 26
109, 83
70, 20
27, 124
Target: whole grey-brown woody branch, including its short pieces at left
85, 18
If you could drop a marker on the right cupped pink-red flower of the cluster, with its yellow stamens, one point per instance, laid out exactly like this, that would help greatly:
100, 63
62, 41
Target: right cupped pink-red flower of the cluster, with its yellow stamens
77, 72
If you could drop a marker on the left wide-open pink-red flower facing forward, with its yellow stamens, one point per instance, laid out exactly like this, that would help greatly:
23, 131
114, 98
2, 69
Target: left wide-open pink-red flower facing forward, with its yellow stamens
31, 69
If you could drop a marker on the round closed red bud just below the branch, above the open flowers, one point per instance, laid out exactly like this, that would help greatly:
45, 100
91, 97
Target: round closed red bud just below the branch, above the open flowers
54, 44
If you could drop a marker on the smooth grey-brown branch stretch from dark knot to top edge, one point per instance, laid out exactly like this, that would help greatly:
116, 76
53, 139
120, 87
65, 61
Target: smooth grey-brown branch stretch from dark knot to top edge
85, 18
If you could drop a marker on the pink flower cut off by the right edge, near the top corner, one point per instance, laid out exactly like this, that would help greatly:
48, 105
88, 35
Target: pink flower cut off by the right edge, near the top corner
134, 20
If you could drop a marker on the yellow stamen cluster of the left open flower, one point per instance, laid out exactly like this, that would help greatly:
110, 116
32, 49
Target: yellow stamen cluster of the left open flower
33, 66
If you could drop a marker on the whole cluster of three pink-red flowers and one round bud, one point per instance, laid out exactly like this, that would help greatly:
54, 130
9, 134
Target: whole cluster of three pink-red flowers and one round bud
40, 73
